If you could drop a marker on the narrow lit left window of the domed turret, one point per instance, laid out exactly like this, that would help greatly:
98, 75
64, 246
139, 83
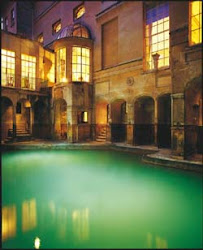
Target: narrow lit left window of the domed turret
61, 65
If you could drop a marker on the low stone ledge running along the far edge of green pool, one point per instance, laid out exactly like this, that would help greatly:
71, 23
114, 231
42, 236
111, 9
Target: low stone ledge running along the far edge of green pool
148, 155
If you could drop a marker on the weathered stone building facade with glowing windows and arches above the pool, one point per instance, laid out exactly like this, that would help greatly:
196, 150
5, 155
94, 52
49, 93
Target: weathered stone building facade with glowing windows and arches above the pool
122, 71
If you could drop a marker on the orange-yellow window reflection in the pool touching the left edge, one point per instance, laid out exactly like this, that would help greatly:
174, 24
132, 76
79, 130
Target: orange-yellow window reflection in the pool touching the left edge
9, 221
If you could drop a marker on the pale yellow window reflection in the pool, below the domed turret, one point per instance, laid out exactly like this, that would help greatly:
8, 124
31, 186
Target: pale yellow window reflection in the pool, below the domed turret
81, 224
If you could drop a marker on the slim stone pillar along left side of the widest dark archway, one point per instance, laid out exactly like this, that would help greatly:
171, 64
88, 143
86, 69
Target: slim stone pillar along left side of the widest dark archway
130, 123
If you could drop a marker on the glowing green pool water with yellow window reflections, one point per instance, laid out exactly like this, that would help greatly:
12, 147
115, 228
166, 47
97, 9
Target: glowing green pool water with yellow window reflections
97, 199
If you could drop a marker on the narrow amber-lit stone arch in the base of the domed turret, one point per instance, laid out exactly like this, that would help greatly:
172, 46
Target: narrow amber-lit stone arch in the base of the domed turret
60, 119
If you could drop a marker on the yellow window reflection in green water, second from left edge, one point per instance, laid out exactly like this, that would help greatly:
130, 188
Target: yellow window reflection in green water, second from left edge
29, 215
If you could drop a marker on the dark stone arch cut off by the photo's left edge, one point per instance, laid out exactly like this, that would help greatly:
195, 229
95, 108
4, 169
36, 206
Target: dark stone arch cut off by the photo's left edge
6, 117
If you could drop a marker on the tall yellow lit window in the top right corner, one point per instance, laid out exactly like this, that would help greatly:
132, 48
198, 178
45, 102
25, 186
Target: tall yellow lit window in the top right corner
195, 22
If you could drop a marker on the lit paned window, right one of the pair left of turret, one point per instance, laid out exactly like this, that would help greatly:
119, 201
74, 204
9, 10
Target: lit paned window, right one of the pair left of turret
28, 71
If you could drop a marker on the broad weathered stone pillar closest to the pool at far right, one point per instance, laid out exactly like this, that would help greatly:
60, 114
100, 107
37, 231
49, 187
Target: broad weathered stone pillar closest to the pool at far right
177, 122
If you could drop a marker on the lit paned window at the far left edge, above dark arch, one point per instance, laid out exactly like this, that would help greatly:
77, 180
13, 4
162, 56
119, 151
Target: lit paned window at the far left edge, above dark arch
7, 68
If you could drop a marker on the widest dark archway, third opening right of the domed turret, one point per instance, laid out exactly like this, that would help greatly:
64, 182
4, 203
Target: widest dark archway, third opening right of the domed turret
144, 128
